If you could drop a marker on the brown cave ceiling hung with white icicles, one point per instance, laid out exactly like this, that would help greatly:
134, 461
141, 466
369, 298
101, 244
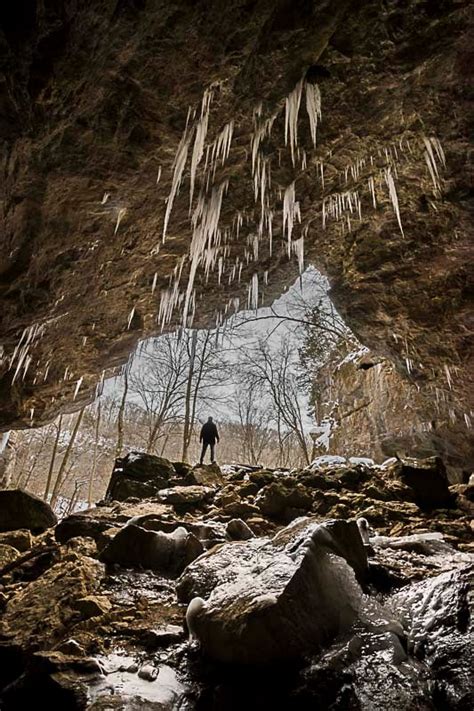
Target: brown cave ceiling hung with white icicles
161, 157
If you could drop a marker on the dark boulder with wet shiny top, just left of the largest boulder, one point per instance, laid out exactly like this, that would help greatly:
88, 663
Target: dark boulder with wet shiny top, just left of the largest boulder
134, 546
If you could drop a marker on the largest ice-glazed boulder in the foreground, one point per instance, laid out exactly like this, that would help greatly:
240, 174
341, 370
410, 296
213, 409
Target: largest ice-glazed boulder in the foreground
274, 599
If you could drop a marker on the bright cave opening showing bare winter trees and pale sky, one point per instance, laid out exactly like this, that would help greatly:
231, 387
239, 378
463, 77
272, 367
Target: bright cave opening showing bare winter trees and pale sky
255, 374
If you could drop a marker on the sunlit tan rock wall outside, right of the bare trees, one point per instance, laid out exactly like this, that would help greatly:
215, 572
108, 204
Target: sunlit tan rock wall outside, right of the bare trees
366, 408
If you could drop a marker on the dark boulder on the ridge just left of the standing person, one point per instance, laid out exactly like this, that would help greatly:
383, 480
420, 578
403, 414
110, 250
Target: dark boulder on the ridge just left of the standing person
139, 475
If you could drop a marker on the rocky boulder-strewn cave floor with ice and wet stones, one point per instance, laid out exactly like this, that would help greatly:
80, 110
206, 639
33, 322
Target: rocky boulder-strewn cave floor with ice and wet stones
344, 586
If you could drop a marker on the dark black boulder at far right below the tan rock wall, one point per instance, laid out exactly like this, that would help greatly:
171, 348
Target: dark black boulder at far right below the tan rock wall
428, 480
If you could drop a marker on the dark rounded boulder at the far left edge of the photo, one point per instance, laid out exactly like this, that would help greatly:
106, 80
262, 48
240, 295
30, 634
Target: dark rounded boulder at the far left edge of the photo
19, 509
